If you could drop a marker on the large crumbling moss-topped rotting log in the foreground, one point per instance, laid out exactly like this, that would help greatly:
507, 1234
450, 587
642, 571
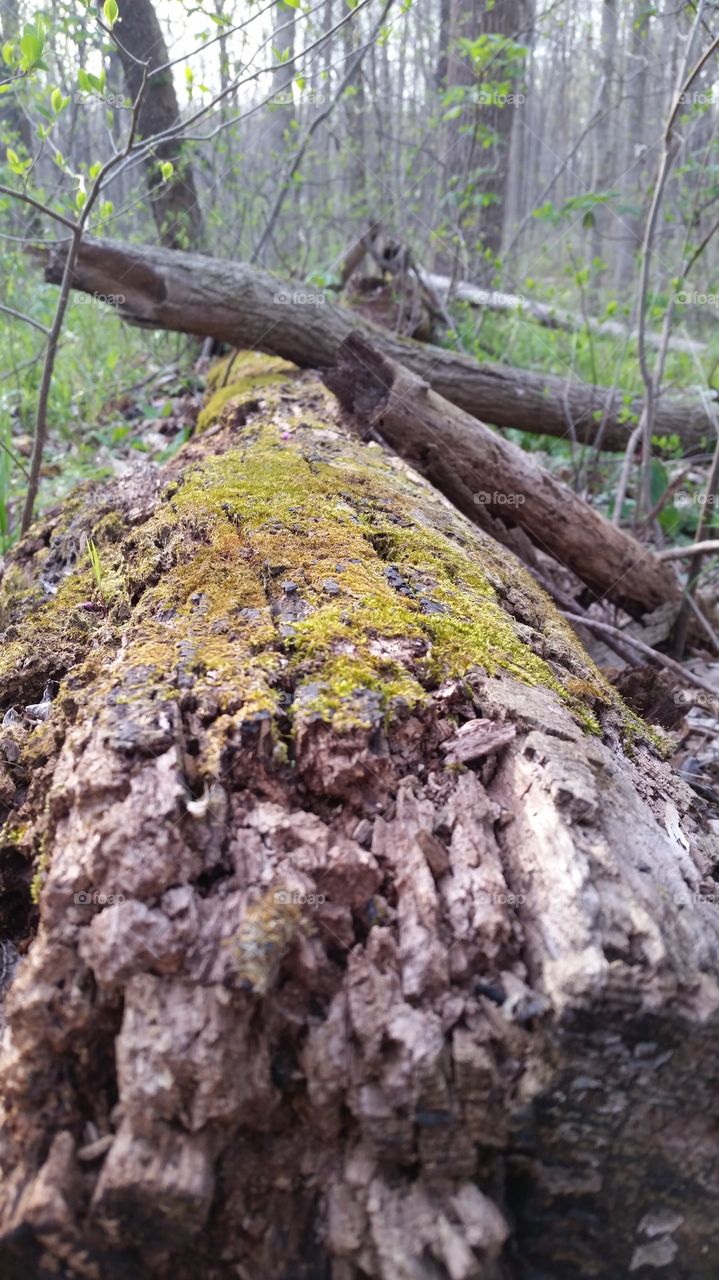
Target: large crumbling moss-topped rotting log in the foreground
358, 954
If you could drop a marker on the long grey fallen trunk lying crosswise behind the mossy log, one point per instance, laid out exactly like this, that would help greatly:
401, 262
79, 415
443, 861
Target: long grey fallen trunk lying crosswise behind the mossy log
248, 308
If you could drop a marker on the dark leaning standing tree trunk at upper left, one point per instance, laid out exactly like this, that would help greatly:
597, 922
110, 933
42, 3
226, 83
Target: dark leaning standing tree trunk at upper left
175, 203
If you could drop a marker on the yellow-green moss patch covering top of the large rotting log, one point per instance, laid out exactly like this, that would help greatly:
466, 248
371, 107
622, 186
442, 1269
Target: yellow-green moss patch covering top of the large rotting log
301, 559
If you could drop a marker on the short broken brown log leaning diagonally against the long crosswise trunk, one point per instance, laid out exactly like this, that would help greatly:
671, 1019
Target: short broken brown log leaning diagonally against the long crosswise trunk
486, 476
